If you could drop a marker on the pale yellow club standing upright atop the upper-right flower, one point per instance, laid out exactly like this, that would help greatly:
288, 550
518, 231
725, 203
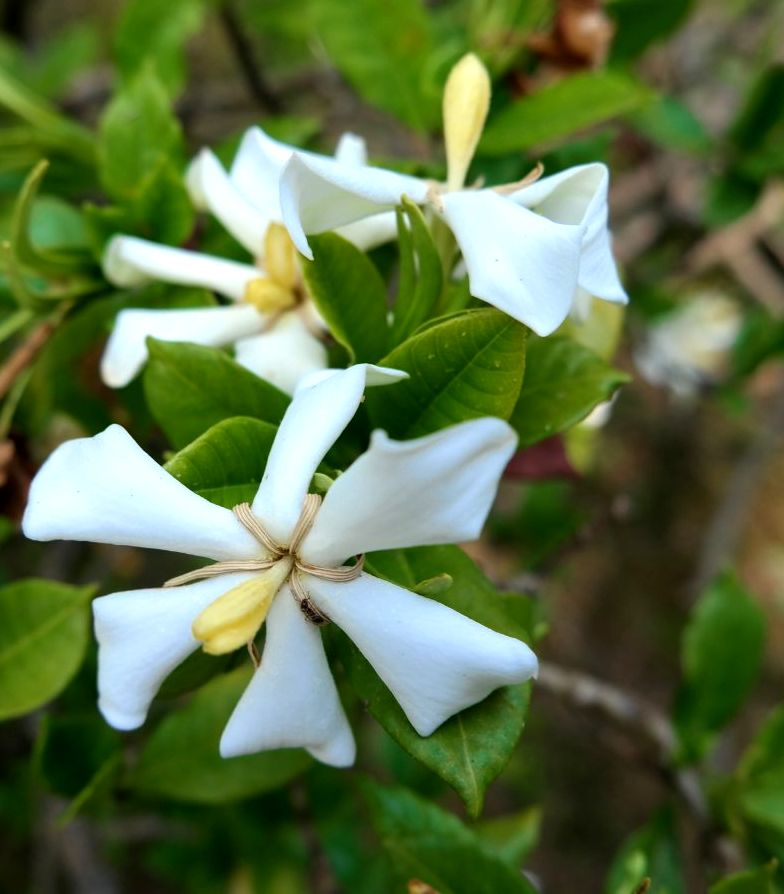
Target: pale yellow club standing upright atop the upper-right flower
466, 102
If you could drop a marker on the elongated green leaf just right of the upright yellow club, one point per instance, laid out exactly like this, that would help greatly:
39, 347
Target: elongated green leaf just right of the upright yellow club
561, 110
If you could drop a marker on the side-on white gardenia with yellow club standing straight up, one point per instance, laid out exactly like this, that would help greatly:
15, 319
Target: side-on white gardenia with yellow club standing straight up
527, 246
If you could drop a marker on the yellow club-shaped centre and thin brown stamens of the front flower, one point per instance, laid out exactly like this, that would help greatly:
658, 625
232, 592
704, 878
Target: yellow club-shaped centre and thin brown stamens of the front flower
234, 619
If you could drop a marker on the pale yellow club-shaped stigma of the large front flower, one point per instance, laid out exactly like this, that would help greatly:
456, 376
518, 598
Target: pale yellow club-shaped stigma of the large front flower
234, 619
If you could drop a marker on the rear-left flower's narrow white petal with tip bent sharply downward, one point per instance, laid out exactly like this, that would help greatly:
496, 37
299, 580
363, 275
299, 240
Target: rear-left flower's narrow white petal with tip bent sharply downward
126, 349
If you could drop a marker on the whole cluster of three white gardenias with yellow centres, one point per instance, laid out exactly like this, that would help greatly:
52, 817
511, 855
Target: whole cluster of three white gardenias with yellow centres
291, 559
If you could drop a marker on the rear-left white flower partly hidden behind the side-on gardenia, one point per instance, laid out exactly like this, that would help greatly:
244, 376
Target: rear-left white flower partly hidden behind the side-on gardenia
274, 327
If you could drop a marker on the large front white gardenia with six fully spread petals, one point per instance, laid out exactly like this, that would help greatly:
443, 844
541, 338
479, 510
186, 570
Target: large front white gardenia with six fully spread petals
282, 560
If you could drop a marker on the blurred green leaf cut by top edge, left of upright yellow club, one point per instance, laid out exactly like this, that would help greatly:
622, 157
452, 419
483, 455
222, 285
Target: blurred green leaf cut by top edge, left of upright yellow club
385, 51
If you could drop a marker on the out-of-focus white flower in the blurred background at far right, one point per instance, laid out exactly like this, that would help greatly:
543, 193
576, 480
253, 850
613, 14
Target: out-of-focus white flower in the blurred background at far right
689, 347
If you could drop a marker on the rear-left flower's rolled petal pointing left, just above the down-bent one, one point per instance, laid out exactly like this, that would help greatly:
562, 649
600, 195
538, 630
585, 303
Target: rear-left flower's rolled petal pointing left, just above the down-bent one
129, 262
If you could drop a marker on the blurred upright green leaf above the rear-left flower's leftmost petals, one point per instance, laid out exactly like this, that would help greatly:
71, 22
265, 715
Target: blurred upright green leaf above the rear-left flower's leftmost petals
137, 134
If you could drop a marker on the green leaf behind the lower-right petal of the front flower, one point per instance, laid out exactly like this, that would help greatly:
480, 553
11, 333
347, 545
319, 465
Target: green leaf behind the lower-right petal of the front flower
472, 748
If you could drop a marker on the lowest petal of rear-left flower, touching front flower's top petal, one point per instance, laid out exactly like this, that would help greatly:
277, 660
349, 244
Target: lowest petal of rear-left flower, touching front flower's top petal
284, 353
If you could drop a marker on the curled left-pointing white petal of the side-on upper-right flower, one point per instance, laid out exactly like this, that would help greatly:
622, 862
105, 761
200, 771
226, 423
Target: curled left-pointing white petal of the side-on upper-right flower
318, 194
